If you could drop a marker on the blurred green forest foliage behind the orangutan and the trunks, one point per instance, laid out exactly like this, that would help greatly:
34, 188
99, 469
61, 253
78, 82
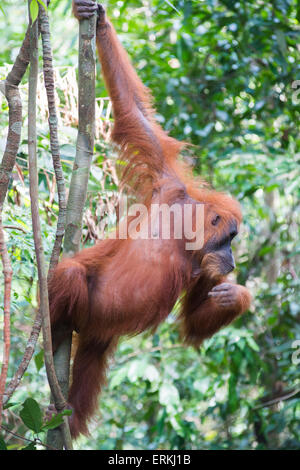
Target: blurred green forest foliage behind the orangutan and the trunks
223, 74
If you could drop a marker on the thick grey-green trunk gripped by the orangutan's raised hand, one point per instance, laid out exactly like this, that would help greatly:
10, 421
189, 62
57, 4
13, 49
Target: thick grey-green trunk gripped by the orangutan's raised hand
79, 182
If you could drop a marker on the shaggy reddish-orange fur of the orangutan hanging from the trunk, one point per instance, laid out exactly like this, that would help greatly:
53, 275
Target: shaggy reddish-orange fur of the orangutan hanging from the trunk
120, 287
